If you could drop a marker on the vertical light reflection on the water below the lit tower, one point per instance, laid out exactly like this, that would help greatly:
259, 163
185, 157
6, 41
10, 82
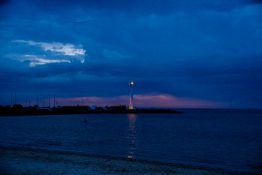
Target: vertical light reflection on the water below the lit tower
131, 135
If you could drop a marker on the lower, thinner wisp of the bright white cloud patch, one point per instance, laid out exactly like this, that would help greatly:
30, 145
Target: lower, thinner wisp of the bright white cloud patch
35, 61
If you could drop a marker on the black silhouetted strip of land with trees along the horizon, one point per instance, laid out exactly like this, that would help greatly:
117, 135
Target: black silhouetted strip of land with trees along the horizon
19, 110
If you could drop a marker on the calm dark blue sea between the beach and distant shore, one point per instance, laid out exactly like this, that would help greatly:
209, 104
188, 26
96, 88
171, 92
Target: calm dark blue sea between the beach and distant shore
229, 139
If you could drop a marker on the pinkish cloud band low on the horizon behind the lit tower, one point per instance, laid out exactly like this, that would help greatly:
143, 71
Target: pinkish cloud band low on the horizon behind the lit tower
160, 100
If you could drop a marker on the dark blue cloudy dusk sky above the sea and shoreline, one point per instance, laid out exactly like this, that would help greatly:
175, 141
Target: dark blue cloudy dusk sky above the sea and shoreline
180, 53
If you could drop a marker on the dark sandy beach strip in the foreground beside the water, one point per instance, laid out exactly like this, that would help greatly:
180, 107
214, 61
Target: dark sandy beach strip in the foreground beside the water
29, 162
